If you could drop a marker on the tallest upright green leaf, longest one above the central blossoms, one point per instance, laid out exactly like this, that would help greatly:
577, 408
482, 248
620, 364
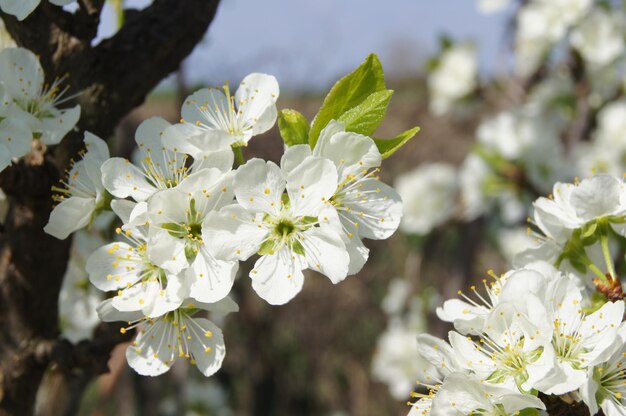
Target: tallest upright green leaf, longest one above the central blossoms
347, 93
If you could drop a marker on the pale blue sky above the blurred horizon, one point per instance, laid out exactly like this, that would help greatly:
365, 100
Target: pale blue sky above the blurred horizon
307, 44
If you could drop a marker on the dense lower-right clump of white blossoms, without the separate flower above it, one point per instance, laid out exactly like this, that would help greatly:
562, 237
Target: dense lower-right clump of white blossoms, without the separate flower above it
531, 330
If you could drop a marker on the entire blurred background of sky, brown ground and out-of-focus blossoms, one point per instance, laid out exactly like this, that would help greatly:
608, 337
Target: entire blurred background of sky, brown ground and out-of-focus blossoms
511, 96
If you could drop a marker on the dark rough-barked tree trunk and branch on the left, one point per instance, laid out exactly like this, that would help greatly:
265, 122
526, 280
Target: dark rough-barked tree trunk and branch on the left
112, 78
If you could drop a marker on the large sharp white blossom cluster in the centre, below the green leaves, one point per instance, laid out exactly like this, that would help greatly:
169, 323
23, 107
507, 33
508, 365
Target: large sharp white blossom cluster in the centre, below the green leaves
189, 218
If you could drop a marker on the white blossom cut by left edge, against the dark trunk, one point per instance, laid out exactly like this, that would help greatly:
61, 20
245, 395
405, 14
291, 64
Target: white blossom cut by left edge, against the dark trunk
29, 107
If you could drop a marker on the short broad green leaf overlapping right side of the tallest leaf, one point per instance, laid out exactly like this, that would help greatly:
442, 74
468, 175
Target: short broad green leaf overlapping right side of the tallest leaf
367, 116
